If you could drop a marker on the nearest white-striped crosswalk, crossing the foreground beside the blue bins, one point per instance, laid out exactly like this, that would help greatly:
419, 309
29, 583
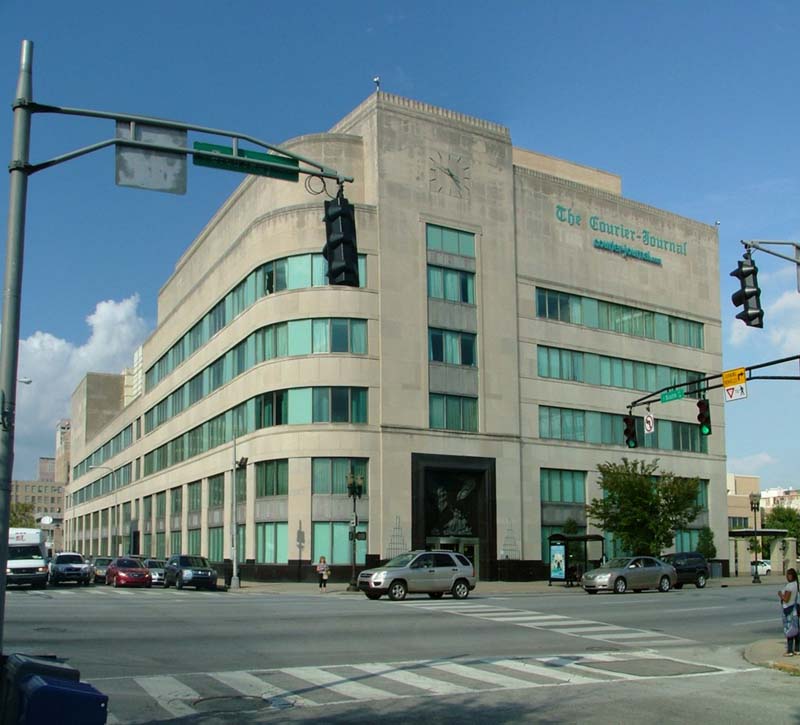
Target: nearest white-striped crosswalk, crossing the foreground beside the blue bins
174, 696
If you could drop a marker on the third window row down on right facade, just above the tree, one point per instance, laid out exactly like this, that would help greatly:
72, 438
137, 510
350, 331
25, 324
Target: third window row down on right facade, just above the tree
608, 429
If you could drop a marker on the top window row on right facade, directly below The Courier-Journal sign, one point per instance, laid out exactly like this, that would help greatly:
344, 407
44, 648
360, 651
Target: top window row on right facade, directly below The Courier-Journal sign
601, 315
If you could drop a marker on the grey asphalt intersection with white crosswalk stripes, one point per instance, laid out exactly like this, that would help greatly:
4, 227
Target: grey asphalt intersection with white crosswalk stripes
216, 657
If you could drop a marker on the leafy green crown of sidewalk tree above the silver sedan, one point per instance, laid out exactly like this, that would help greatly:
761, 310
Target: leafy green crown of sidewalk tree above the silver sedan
642, 506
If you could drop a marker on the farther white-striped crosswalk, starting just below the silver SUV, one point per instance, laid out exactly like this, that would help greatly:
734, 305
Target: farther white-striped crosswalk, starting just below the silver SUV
558, 623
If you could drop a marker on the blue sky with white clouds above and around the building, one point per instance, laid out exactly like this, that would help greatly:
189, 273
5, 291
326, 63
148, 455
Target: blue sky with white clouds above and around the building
693, 104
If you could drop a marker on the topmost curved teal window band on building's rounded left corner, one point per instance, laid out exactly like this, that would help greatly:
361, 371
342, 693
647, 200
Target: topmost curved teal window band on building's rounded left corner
296, 272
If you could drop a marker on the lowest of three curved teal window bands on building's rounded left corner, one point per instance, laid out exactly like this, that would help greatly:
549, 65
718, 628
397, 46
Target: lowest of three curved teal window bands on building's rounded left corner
292, 406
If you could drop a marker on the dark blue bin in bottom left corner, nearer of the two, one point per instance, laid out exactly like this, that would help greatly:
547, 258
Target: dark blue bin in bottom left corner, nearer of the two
49, 700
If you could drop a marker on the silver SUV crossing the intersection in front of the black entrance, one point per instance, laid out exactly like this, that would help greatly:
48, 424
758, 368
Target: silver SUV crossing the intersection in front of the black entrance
426, 572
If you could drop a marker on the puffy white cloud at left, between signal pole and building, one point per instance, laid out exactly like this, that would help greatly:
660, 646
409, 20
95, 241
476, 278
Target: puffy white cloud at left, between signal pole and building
56, 366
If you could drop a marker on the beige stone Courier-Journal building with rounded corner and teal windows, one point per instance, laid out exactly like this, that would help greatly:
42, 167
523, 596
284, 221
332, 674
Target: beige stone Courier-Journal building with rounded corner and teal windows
511, 306
